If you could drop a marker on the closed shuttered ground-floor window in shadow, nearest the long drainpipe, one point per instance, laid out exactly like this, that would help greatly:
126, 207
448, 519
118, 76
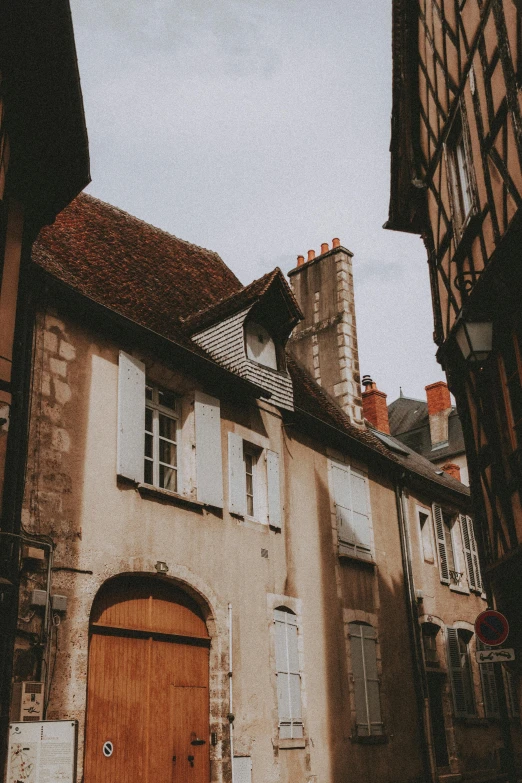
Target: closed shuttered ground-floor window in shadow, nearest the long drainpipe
363, 646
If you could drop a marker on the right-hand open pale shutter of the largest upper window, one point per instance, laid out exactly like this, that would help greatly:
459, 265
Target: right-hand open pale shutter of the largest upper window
208, 450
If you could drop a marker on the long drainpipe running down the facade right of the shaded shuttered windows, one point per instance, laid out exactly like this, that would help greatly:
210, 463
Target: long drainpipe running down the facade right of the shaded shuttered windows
419, 678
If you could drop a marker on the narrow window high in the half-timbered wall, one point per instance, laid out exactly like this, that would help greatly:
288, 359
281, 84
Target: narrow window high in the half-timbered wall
460, 175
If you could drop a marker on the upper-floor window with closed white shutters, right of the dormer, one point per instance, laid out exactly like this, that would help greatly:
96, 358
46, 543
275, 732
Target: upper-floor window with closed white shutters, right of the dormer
352, 505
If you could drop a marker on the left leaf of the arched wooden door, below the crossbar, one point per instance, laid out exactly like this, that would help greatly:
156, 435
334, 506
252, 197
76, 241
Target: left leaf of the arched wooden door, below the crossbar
117, 709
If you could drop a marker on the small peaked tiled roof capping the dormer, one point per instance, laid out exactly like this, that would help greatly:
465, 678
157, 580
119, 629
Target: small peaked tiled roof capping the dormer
239, 300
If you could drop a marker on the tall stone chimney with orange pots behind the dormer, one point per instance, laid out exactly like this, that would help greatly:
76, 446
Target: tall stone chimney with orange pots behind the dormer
325, 342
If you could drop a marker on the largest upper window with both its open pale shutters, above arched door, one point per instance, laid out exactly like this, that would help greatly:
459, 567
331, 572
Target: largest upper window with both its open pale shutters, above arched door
151, 454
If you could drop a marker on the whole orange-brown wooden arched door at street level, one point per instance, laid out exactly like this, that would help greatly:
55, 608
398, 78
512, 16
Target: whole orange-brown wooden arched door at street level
147, 689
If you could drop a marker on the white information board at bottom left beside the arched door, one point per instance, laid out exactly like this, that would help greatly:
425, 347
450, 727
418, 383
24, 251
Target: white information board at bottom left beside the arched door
42, 752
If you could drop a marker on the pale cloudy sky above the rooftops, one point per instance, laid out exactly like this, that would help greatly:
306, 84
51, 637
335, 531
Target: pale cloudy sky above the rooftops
260, 129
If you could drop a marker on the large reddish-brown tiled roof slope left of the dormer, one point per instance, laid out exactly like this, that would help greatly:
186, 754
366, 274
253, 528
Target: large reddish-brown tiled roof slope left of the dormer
141, 272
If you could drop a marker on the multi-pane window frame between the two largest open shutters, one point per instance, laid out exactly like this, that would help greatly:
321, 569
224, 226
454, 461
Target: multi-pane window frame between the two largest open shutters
173, 414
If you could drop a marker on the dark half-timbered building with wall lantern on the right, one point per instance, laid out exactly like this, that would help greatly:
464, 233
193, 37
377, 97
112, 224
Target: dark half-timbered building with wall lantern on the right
456, 179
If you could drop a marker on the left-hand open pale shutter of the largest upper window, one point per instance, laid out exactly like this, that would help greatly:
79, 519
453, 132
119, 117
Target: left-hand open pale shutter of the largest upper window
131, 417
